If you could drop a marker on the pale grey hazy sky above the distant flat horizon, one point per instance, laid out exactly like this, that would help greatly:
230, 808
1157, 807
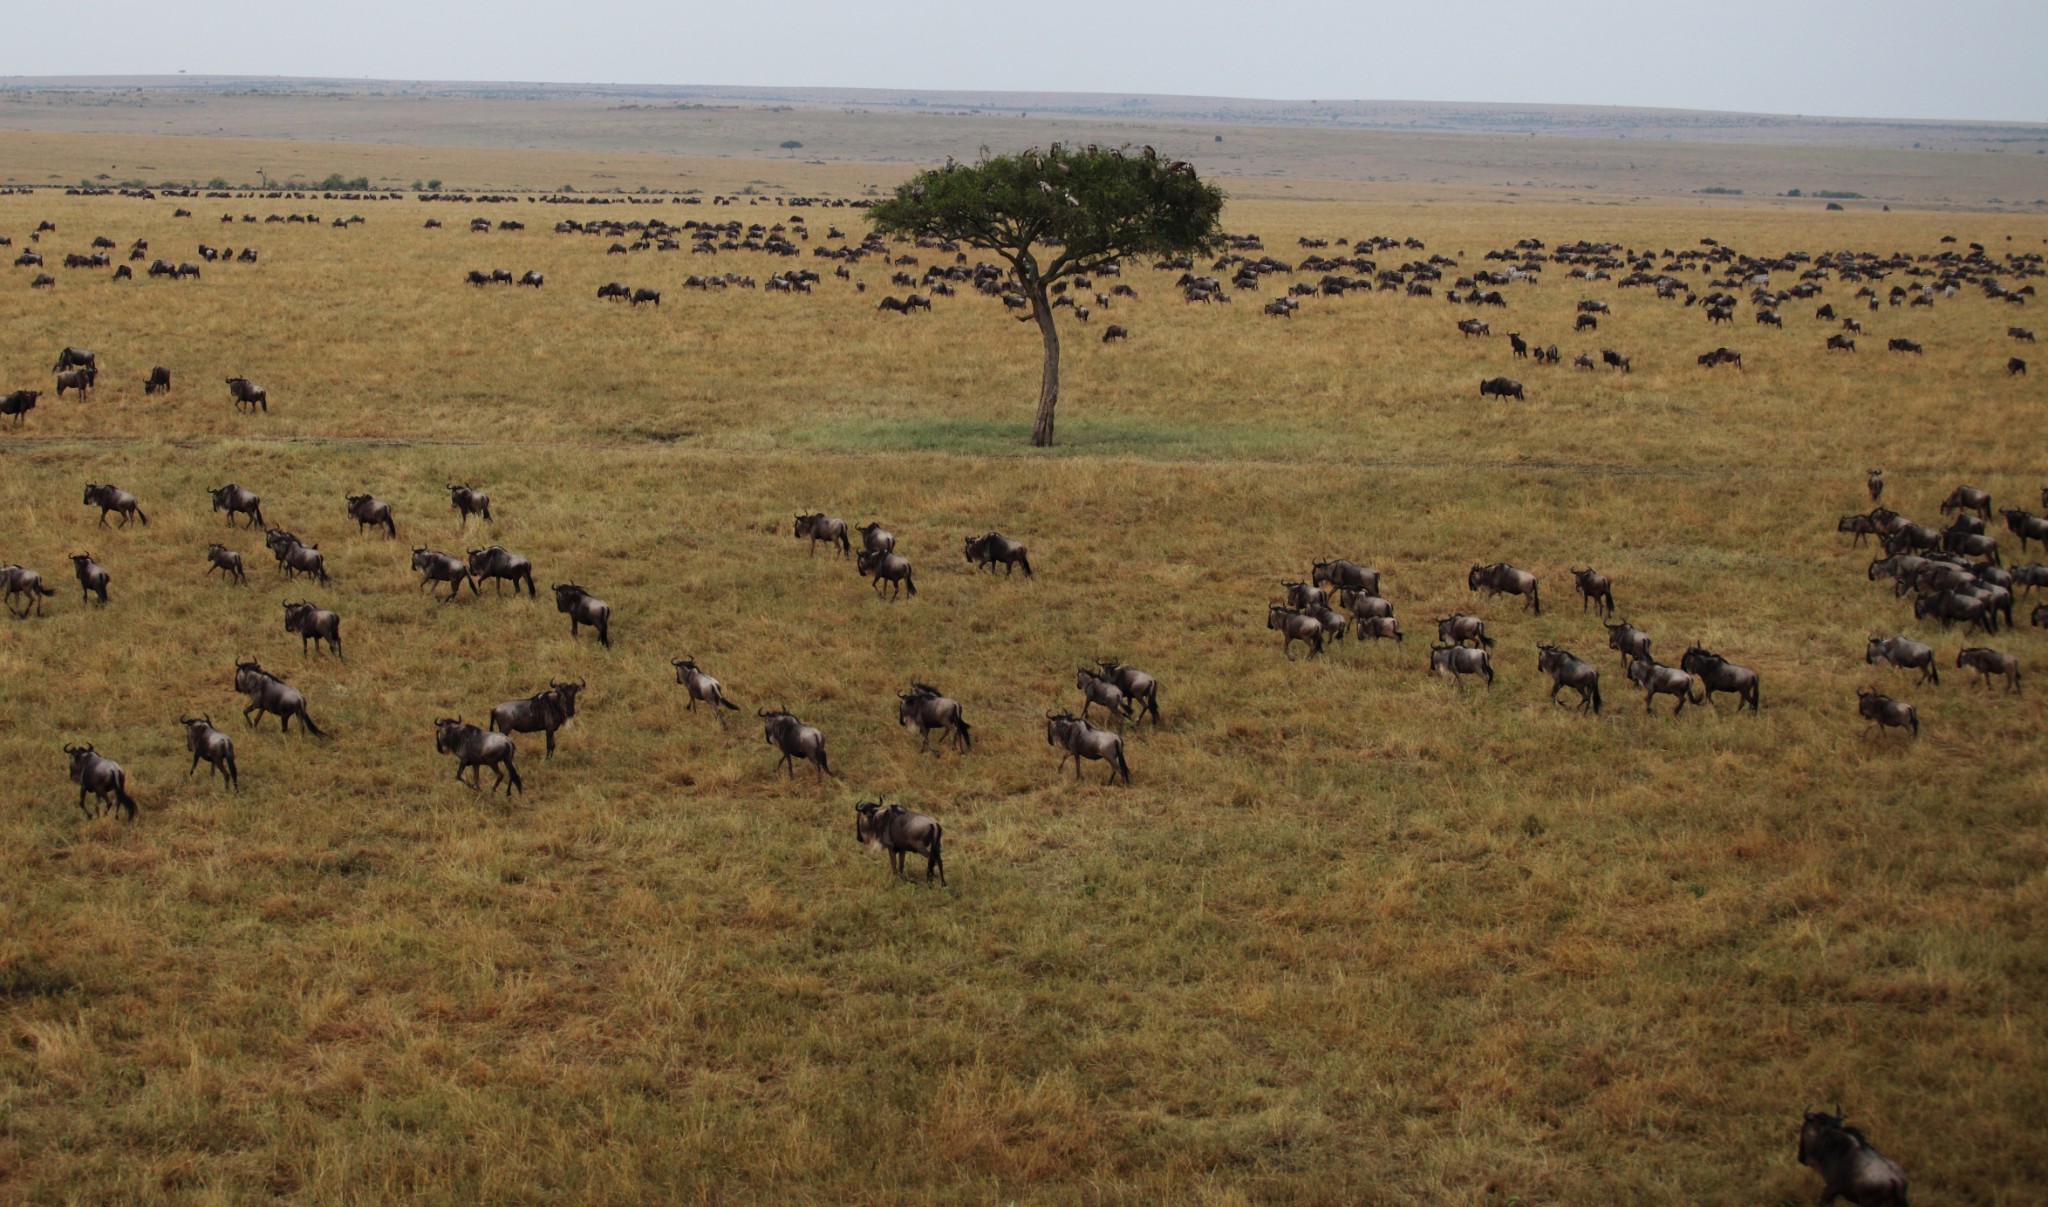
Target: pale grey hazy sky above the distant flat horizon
1861, 58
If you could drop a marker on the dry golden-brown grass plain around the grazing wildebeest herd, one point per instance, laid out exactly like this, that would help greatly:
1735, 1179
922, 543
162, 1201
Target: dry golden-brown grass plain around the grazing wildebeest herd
1351, 938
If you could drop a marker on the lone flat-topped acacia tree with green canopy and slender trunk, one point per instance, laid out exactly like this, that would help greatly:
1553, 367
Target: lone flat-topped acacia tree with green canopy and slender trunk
1080, 208
